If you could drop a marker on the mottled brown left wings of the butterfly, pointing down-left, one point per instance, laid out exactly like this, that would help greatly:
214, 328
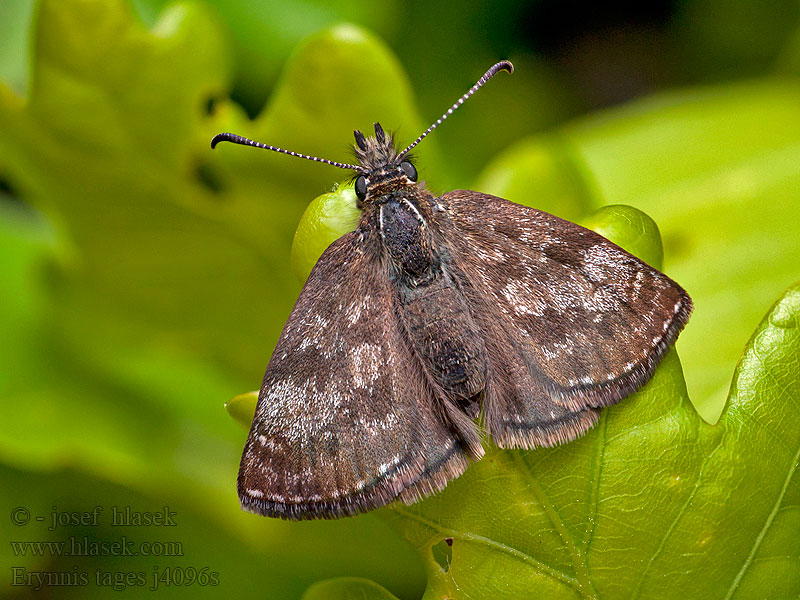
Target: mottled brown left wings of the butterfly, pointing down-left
345, 421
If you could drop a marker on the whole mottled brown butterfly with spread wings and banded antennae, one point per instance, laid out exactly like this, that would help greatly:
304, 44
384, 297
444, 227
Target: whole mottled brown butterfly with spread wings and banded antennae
433, 313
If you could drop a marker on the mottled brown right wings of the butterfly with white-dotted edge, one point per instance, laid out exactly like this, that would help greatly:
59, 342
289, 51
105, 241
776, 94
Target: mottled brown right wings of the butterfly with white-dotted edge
571, 321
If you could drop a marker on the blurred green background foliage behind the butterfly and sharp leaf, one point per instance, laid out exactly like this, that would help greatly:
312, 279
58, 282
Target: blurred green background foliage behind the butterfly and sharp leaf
145, 279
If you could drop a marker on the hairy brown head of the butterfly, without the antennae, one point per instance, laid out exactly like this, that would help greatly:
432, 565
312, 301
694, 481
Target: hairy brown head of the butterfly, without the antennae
383, 168
